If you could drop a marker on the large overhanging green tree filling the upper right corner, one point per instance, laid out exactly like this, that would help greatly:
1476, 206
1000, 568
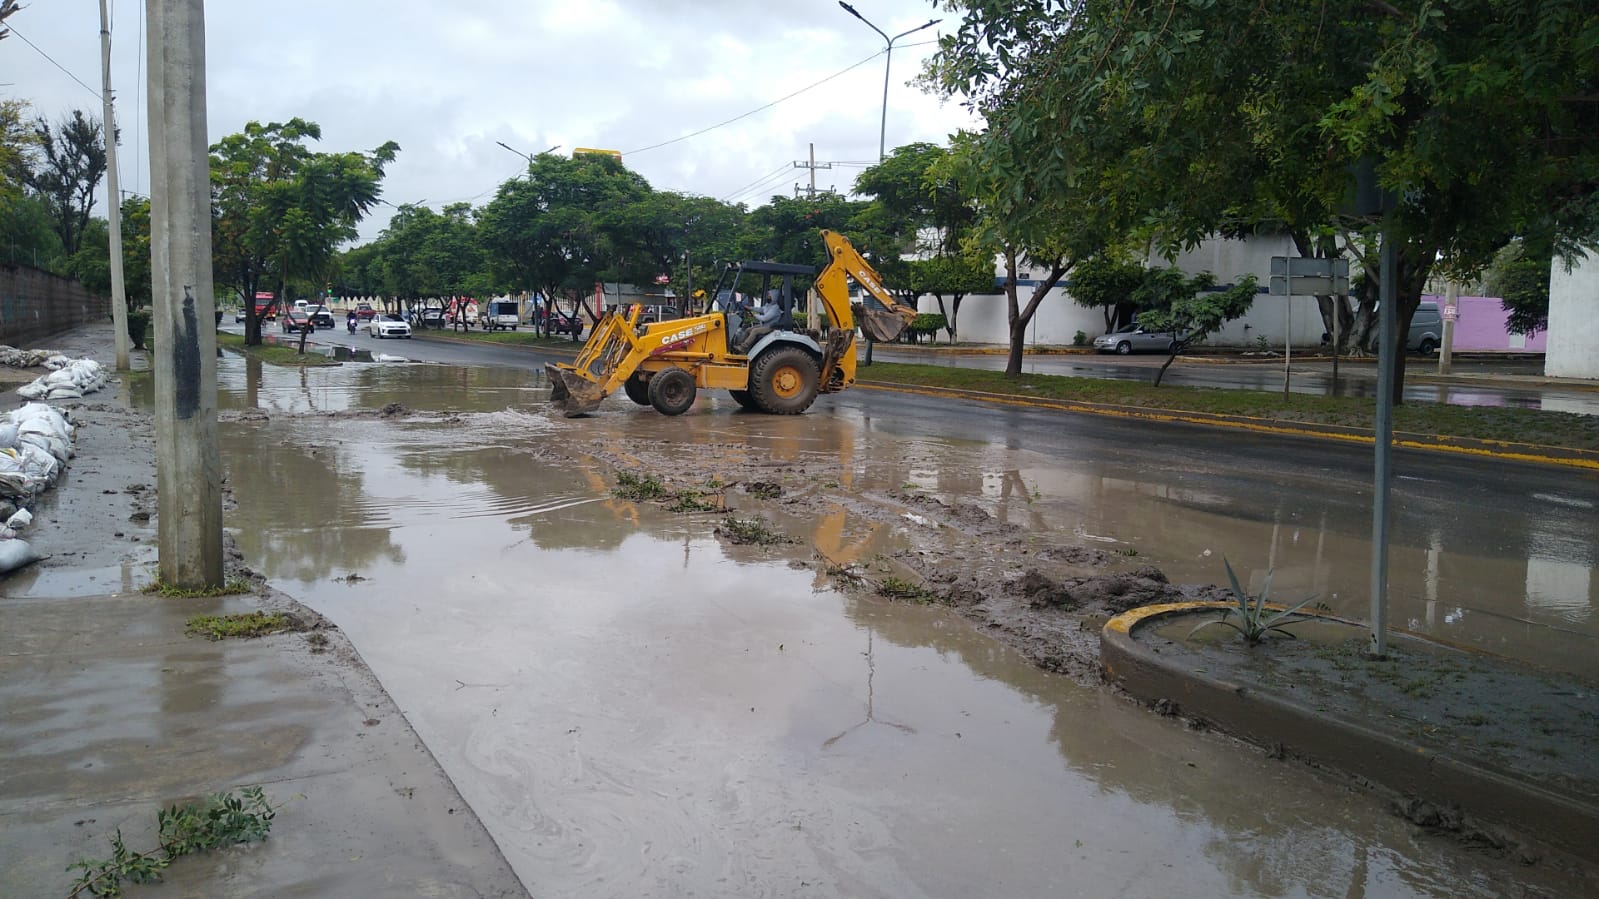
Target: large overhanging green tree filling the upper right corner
1168, 111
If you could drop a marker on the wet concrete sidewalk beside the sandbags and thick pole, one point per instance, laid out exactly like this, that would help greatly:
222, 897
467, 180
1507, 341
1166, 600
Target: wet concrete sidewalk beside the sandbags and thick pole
111, 713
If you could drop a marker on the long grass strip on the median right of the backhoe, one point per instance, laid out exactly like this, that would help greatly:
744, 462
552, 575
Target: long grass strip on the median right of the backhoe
1478, 423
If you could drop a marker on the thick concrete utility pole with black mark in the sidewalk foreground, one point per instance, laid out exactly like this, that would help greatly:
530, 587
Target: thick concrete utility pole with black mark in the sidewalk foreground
188, 463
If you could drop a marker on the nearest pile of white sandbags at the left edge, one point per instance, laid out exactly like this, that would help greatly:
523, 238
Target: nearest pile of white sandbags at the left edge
36, 444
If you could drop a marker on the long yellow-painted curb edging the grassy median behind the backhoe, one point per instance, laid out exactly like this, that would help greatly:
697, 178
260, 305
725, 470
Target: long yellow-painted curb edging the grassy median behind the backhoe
1507, 450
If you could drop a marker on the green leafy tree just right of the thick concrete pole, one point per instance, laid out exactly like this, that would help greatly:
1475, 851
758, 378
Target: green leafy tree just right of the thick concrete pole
282, 210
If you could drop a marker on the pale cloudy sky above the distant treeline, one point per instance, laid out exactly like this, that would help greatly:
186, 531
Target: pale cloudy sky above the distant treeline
450, 81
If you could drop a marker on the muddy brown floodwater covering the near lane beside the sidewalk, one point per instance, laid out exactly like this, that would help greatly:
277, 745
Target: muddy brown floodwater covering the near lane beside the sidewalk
634, 709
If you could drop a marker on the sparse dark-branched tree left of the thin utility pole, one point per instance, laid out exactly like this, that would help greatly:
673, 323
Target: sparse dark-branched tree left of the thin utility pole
66, 167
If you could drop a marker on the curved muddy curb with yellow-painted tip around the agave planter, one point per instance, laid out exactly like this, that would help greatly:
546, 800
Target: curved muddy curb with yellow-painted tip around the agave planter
1386, 759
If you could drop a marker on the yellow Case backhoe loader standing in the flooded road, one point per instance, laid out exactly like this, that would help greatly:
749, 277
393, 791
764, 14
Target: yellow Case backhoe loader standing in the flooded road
746, 342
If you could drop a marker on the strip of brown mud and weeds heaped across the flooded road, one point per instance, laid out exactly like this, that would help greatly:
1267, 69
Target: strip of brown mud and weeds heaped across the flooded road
1045, 599
